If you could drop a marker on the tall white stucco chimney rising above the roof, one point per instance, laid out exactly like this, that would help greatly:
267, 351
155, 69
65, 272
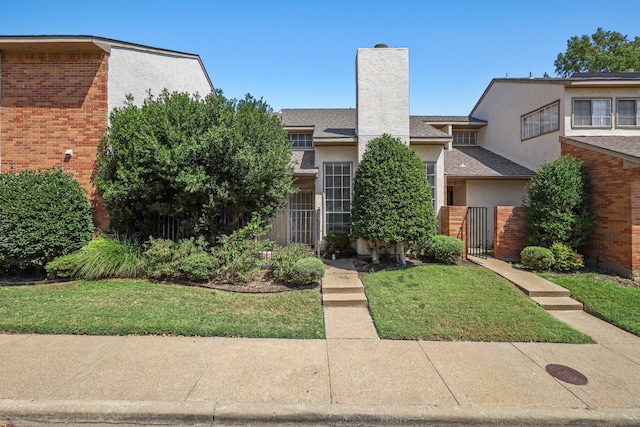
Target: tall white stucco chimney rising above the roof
382, 94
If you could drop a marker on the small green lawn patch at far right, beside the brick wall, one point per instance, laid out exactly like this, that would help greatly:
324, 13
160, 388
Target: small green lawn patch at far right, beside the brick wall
603, 298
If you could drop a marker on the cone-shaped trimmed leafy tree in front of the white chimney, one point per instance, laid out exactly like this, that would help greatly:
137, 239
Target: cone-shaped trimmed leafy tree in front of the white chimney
392, 198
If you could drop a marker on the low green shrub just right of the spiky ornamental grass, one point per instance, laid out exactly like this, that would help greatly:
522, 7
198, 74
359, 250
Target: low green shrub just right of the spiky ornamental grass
185, 259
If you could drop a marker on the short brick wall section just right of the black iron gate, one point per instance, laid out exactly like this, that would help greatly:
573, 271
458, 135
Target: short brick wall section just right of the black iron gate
509, 232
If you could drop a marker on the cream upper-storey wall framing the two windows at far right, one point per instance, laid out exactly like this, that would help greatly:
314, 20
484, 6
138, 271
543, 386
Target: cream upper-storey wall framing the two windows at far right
611, 93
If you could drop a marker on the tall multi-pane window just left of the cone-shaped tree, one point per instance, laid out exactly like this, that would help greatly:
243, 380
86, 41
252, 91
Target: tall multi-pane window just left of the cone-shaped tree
337, 188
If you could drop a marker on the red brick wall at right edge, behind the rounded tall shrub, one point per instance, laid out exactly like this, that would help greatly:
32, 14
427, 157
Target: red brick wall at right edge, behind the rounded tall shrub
615, 202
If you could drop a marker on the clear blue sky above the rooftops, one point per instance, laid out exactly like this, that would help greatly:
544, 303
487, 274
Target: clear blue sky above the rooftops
301, 54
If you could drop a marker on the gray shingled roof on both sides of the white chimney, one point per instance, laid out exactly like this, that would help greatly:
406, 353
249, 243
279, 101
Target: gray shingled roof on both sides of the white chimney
341, 123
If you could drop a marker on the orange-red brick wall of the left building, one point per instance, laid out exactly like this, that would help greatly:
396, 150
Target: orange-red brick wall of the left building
51, 102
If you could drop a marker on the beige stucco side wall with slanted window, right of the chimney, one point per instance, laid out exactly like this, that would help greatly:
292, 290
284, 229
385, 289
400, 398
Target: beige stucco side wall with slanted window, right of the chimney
503, 106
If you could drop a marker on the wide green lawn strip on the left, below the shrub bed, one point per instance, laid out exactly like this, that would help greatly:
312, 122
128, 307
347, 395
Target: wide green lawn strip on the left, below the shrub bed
125, 307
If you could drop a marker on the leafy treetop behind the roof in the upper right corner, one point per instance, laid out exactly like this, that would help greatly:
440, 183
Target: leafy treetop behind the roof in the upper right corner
602, 51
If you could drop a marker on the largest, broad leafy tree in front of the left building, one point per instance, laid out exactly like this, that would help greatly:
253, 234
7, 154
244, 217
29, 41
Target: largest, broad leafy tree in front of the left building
208, 163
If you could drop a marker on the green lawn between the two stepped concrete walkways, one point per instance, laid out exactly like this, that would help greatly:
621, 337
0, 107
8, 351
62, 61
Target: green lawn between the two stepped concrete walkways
450, 303
